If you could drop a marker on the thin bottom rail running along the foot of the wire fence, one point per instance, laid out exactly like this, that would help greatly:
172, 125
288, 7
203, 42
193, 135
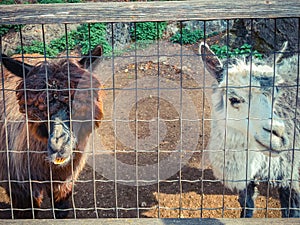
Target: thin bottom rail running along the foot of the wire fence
143, 221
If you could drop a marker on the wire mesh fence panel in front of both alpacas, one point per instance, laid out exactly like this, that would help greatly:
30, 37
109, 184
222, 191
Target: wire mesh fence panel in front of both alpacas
165, 112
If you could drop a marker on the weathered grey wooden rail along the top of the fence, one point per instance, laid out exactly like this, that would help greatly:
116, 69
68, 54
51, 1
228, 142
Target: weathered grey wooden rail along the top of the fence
147, 11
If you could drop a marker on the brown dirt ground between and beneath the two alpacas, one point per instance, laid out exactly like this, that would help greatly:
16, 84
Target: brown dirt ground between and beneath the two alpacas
154, 107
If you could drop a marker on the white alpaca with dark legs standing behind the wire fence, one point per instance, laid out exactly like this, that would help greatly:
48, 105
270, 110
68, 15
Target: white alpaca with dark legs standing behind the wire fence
254, 137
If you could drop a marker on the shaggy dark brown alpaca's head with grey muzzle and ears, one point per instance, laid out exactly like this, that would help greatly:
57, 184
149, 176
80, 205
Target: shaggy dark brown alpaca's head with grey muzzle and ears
62, 101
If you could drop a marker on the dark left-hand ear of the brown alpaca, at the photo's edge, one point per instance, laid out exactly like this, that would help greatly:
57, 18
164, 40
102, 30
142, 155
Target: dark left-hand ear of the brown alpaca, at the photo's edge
16, 67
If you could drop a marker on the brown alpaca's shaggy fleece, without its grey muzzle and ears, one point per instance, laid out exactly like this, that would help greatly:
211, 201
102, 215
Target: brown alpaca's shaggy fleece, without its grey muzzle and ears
23, 153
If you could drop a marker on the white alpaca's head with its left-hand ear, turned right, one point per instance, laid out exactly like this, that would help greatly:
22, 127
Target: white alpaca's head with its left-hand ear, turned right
243, 103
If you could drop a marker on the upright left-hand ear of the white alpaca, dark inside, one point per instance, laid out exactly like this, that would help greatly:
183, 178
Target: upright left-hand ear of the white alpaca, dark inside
211, 62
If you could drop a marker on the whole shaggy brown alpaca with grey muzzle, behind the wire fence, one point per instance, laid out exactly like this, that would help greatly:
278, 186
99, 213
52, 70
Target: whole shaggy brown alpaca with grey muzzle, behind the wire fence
44, 130
